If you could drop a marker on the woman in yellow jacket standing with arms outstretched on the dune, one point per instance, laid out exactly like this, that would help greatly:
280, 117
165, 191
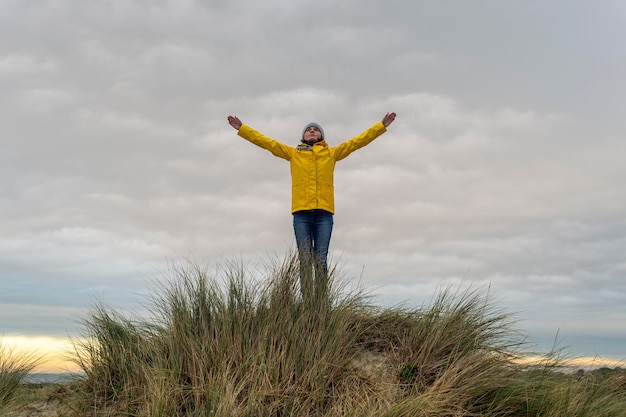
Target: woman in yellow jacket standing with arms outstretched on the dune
312, 191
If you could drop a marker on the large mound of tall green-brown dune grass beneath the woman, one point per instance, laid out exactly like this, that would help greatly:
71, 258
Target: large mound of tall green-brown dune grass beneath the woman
230, 345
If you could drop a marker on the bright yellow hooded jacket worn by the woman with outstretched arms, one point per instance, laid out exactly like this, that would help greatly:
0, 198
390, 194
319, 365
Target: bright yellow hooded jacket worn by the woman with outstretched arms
312, 167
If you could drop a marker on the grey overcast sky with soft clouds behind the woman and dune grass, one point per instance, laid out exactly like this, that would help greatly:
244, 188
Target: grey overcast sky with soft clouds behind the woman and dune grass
504, 168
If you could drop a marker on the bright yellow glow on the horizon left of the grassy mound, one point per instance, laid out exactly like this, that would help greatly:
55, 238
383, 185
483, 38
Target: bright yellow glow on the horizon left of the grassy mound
55, 353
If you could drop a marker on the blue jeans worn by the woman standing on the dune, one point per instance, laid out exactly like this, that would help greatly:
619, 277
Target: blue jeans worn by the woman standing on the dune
313, 229
